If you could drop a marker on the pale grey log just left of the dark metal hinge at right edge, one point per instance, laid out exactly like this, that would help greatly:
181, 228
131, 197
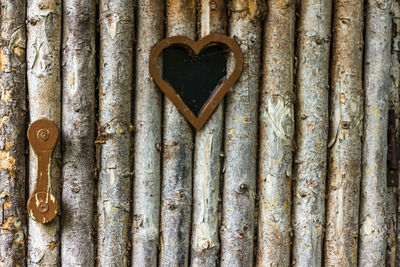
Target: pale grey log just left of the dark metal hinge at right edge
372, 243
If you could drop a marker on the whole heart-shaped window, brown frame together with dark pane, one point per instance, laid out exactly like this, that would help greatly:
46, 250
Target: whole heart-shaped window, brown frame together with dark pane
194, 73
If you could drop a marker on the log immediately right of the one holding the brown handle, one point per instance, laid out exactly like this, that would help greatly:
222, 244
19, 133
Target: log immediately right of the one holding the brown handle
78, 130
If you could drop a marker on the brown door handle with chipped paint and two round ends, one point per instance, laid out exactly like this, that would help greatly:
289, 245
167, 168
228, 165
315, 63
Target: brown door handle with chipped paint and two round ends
43, 136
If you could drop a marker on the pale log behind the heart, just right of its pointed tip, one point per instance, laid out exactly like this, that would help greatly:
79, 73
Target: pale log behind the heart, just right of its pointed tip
206, 174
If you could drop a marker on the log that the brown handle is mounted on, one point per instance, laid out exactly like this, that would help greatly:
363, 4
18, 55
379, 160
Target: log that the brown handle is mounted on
44, 87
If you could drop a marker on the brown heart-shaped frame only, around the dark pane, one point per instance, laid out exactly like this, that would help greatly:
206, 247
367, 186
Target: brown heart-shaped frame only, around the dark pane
196, 47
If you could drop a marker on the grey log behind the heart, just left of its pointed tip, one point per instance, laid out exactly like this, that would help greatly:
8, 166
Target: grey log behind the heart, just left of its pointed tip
176, 192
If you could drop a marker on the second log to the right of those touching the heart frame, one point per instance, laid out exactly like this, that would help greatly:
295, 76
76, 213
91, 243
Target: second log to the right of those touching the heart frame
312, 131
